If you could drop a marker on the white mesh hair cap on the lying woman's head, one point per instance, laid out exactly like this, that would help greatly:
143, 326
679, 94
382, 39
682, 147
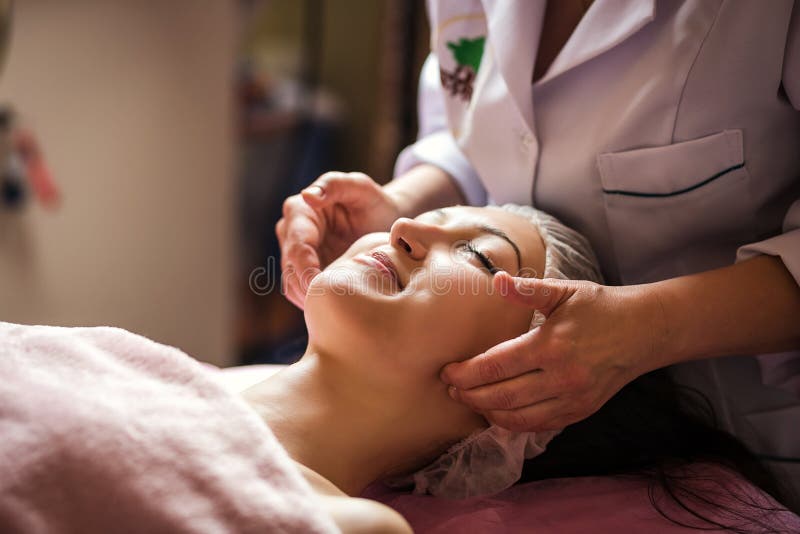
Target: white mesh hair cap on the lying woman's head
491, 460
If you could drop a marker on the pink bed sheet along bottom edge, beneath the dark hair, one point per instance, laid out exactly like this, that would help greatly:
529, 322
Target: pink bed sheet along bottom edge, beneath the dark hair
568, 505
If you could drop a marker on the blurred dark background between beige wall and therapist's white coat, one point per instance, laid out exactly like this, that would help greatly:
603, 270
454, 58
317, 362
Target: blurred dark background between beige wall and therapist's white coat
322, 85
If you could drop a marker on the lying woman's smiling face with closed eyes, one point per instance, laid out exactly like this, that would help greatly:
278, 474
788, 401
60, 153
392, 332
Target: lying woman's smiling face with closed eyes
407, 302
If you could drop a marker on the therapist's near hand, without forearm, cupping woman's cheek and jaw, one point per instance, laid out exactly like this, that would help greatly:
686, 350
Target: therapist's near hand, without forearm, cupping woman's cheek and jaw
595, 340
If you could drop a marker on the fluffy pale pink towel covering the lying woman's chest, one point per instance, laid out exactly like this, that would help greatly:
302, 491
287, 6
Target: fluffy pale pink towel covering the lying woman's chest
104, 431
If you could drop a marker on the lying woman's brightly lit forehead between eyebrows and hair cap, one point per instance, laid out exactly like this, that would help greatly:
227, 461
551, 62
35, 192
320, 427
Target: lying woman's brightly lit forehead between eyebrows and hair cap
518, 228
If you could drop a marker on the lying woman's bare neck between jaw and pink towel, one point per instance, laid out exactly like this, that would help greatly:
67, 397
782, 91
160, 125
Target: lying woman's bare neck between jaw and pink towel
345, 429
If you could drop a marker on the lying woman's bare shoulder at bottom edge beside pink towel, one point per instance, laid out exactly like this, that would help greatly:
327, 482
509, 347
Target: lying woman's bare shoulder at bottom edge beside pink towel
363, 516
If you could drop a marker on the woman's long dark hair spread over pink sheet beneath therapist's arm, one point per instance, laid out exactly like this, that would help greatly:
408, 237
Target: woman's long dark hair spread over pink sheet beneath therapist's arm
655, 429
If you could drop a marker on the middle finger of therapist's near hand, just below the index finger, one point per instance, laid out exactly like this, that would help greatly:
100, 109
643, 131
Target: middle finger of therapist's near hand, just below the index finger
517, 392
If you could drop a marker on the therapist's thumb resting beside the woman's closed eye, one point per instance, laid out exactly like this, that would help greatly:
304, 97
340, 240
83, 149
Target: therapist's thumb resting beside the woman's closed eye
543, 294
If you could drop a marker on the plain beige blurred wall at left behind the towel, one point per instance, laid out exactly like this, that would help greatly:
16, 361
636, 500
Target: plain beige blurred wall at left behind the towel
132, 105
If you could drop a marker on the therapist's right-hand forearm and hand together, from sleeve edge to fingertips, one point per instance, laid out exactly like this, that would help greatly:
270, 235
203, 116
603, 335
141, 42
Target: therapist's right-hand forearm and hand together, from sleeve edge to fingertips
598, 338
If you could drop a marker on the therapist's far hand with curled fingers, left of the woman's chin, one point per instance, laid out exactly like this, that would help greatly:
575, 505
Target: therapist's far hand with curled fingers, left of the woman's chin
321, 222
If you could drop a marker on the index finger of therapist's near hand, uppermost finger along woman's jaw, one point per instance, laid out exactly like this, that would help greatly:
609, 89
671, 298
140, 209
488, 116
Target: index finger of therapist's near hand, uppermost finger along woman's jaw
506, 360
